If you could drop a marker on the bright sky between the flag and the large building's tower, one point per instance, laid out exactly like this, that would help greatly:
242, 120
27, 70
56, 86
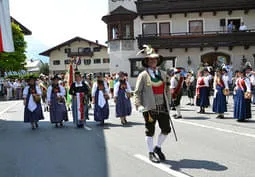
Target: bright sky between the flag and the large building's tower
55, 21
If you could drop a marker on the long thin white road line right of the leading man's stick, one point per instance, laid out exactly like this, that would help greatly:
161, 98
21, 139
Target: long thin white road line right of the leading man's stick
216, 128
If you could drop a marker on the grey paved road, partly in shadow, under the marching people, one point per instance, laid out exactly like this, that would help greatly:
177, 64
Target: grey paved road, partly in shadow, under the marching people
207, 147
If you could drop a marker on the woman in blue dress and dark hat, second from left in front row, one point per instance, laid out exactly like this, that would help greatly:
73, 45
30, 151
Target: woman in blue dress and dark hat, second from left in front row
56, 101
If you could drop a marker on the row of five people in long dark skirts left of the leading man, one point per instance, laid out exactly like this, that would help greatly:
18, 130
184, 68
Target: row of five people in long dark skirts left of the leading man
81, 92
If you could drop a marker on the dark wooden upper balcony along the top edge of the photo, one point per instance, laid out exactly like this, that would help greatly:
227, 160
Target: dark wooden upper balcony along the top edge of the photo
156, 7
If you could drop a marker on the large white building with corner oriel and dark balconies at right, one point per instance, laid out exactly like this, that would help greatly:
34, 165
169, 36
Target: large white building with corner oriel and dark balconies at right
186, 33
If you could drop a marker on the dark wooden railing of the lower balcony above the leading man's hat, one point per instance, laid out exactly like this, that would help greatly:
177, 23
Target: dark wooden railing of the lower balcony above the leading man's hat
198, 40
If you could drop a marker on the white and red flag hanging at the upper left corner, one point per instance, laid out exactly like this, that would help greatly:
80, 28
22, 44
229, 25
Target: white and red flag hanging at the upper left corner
6, 40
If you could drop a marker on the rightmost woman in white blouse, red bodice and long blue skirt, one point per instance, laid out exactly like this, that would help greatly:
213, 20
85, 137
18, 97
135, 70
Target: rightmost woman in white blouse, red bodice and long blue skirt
242, 106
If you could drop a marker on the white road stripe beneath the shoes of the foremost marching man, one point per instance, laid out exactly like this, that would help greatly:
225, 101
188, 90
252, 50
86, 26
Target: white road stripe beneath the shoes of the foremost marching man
161, 166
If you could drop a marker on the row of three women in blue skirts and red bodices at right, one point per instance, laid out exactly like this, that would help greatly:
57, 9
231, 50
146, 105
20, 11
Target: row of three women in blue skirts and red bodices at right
242, 92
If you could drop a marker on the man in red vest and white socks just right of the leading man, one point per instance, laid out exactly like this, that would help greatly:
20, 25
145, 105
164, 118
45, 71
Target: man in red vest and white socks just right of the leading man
176, 83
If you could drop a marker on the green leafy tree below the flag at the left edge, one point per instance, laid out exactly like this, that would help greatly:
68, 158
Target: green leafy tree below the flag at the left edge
14, 61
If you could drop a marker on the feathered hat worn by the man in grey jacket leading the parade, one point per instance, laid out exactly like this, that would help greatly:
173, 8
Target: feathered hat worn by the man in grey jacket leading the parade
150, 53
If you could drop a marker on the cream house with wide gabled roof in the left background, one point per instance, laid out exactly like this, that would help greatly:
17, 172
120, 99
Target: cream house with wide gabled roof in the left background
91, 57
